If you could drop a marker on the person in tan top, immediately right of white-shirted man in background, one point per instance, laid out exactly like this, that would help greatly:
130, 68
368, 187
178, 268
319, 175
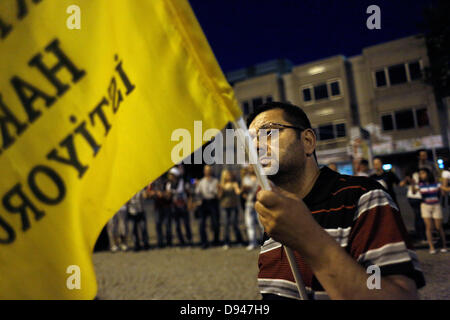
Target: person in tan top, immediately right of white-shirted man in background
229, 202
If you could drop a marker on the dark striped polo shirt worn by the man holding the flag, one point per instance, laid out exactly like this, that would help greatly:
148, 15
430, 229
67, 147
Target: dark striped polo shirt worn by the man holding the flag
362, 218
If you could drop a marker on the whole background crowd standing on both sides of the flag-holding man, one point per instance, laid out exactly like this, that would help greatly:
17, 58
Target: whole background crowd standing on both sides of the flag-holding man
221, 202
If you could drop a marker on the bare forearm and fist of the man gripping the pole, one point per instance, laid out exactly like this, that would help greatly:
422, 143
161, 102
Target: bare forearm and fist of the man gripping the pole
287, 219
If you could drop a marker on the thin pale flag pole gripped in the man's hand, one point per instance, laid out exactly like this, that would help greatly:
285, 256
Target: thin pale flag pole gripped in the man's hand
243, 135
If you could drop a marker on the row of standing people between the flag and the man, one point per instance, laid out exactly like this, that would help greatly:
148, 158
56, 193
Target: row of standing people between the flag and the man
175, 201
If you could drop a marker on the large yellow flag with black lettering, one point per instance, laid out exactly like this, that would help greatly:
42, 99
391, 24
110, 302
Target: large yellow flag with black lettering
90, 93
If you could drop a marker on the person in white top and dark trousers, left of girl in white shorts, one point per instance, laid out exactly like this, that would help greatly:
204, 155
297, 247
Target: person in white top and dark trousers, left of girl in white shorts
415, 199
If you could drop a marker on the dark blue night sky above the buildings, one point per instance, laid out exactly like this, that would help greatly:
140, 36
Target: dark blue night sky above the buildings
243, 33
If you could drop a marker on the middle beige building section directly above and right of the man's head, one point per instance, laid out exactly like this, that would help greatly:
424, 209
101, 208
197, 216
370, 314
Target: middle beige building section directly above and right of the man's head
322, 89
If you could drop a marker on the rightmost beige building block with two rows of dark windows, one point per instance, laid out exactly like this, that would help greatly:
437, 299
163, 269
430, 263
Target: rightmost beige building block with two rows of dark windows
393, 99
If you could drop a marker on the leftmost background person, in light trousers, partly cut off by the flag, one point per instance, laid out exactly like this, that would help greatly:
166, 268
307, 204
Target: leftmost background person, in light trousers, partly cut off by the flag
117, 229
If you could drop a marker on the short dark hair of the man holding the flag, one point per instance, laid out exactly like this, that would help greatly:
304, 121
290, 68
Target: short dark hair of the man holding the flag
293, 114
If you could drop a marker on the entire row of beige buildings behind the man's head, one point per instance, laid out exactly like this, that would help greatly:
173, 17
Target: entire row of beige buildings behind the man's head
373, 104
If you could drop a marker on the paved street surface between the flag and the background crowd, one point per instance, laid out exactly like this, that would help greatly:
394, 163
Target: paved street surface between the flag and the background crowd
192, 273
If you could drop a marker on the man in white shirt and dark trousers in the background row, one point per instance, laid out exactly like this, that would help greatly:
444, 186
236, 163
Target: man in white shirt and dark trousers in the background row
207, 189
